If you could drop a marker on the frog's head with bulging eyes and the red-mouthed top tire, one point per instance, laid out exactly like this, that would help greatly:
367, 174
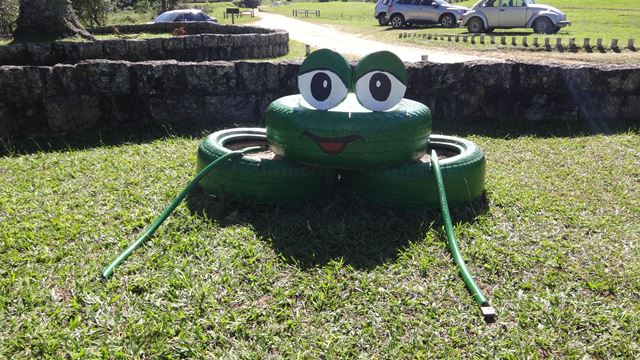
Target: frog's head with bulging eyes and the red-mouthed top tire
349, 118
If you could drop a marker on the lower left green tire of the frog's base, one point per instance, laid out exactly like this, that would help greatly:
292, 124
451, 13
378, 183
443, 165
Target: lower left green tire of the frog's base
255, 179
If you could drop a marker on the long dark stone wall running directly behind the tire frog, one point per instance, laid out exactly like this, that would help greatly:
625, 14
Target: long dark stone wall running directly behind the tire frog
101, 94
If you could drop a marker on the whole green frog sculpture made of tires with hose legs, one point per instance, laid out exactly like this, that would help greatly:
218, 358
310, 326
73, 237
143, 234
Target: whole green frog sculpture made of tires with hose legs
349, 124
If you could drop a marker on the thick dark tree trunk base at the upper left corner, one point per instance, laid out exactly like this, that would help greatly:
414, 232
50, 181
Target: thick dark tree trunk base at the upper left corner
48, 20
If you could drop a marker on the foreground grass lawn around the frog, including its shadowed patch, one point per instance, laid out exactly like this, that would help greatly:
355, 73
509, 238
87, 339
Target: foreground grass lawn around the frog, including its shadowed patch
555, 246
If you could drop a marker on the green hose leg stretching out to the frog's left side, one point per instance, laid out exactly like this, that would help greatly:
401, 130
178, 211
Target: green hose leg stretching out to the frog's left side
108, 271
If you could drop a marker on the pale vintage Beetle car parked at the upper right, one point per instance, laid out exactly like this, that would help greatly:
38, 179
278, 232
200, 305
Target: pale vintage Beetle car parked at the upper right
487, 15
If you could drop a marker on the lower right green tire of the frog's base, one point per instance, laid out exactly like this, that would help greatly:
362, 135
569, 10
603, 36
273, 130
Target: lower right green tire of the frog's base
413, 185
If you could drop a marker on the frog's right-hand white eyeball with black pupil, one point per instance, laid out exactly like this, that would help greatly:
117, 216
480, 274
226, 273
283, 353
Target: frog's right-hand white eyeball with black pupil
379, 90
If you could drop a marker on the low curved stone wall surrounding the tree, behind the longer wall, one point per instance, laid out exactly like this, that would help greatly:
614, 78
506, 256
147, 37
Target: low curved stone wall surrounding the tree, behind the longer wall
217, 42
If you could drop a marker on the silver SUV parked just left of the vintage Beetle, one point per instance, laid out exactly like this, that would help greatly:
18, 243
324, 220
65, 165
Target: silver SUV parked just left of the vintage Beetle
412, 12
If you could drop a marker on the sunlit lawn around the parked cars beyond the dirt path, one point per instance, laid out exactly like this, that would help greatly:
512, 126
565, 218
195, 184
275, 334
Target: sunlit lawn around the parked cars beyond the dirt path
590, 18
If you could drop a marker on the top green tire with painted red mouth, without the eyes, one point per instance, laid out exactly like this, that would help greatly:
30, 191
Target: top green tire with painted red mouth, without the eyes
347, 136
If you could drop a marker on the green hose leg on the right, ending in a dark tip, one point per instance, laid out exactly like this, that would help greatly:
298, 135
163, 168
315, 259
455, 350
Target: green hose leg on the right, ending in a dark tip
488, 312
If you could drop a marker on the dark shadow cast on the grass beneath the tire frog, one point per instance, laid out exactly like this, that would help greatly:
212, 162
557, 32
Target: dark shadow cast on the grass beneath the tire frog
341, 226
